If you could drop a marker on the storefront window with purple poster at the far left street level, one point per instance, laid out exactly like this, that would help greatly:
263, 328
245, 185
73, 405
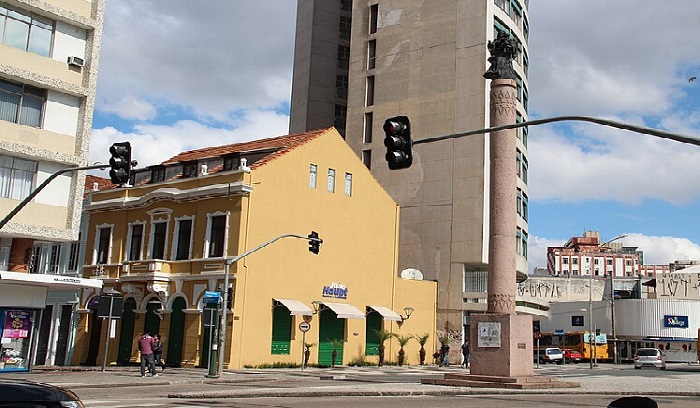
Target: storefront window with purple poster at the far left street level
16, 327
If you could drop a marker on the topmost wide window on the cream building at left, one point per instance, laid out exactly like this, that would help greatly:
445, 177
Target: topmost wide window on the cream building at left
26, 31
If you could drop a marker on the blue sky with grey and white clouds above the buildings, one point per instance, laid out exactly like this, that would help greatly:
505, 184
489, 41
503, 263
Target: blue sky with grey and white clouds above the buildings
165, 85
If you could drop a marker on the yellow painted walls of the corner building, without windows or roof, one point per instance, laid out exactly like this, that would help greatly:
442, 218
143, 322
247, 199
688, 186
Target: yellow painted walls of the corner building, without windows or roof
360, 234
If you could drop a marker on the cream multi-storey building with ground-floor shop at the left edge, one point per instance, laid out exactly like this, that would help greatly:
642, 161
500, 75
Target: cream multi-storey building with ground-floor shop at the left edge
48, 74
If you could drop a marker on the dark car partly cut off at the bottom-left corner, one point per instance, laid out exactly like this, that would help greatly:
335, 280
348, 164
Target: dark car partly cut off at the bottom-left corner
21, 393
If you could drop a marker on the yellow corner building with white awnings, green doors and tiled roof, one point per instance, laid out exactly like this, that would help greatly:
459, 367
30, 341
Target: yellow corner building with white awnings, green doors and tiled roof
164, 242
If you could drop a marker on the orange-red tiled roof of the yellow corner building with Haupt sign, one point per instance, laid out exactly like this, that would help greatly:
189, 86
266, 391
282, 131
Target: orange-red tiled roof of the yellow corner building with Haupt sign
281, 145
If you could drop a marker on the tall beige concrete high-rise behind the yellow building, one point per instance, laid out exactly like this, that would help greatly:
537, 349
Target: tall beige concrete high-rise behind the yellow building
425, 60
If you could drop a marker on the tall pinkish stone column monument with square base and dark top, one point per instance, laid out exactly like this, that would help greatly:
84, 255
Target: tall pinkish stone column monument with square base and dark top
501, 341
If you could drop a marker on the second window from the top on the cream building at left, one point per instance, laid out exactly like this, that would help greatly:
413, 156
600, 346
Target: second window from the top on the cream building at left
21, 104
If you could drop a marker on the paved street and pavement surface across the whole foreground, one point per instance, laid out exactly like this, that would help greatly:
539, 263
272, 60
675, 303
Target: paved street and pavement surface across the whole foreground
121, 387
